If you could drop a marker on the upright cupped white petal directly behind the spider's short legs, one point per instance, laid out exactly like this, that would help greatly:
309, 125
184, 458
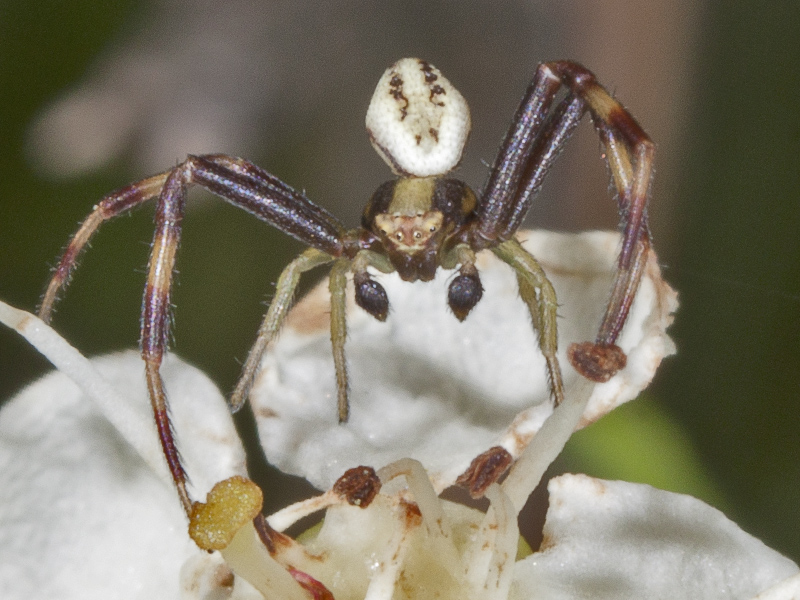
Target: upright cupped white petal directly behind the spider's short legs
425, 386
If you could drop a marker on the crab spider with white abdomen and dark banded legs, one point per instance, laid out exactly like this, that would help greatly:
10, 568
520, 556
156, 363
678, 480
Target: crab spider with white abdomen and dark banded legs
414, 224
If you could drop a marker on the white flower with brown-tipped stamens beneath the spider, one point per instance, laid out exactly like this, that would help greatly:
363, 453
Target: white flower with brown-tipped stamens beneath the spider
88, 511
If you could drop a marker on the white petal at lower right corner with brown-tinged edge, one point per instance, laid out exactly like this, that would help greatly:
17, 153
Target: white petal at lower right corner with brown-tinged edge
613, 539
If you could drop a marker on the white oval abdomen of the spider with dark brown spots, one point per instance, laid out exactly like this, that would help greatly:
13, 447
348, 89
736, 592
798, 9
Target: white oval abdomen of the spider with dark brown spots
417, 121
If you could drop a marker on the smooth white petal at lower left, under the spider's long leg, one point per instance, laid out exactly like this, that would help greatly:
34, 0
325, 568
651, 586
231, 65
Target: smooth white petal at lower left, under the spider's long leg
81, 514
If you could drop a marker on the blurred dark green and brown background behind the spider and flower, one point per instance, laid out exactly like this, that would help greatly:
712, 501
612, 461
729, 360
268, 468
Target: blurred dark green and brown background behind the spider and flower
717, 86
